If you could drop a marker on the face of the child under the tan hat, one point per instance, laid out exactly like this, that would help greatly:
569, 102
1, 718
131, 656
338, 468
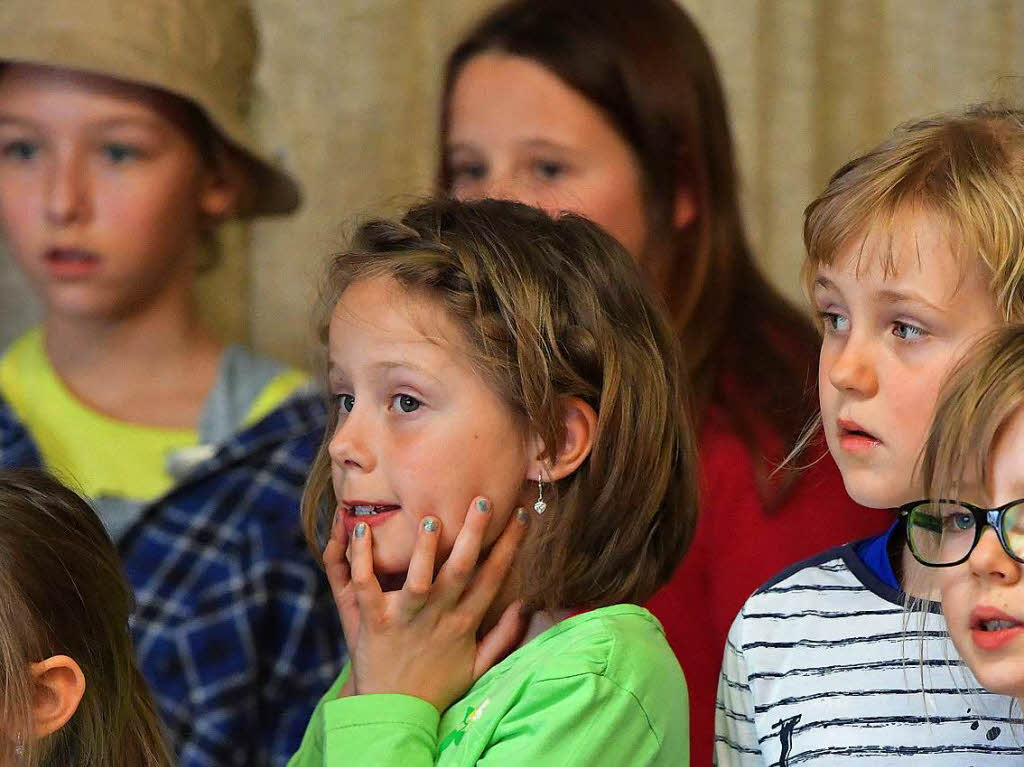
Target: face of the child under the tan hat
103, 193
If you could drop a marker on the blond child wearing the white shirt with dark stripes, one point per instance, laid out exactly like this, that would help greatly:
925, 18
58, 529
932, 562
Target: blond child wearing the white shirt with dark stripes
915, 249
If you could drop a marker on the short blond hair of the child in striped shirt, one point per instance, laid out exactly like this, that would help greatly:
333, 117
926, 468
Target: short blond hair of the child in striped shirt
966, 167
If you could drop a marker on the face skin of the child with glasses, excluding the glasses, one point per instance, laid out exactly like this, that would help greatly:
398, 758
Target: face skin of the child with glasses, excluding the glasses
984, 600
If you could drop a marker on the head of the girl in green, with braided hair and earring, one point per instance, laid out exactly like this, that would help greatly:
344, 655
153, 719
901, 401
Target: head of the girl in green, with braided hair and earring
476, 349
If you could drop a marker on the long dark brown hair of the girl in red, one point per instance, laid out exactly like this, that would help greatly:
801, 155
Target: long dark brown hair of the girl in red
647, 67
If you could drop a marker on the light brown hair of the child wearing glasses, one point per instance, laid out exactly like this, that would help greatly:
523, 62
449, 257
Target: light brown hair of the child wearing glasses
982, 395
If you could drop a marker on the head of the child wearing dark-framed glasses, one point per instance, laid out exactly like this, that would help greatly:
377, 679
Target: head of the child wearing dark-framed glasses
975, 456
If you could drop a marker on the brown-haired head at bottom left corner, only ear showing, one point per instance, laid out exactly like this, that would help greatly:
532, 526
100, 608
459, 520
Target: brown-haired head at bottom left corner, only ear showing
70, 691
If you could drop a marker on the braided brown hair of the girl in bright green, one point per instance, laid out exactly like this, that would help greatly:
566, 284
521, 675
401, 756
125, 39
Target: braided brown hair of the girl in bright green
551, 310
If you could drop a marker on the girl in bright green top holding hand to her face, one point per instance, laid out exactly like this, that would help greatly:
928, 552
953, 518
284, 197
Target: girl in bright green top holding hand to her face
486, 357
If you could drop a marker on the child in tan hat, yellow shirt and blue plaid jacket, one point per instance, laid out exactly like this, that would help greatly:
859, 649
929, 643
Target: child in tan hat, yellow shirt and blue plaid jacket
123, 146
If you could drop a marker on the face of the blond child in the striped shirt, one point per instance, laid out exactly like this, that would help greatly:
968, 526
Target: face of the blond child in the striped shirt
888, 344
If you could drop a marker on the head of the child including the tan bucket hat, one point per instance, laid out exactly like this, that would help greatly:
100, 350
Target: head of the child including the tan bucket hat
123, 145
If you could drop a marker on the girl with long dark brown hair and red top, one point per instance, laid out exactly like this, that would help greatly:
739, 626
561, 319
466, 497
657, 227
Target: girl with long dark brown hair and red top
615, 111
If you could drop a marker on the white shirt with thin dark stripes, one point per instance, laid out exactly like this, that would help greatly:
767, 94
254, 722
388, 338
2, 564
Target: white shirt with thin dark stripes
825, 664
